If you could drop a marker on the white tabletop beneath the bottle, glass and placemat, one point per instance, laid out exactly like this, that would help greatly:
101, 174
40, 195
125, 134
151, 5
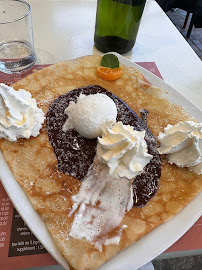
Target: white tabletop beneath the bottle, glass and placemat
64, 29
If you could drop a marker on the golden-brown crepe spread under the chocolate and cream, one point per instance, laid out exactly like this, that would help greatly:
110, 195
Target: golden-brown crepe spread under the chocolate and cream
34, 164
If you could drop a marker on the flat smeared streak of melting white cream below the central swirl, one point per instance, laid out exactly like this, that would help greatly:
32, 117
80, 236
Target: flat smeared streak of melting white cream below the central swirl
100, 205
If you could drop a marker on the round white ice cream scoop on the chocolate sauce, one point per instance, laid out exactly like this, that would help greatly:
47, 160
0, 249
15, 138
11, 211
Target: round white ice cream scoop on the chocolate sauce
90, 114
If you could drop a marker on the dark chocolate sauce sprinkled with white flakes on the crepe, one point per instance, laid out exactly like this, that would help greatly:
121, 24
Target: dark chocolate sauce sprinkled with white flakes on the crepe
75, 153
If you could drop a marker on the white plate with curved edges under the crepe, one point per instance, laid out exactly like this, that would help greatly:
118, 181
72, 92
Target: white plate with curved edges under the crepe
149, 246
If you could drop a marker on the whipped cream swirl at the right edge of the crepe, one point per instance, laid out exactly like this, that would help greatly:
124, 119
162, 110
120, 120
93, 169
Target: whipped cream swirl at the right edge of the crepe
183, 145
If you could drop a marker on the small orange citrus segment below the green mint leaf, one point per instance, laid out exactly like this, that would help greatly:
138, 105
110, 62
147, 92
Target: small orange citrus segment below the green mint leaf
109, 74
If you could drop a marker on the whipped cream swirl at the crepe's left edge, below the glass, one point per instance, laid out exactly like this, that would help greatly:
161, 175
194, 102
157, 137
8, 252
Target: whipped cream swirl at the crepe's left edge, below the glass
19, 115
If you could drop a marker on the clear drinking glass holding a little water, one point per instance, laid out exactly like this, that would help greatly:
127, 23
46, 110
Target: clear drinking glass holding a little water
16, 37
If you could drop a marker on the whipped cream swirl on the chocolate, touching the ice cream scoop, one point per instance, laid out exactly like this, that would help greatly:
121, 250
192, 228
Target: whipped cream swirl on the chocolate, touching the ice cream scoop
124, 150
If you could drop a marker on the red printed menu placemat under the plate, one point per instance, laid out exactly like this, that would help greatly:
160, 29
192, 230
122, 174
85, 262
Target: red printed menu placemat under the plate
19, 248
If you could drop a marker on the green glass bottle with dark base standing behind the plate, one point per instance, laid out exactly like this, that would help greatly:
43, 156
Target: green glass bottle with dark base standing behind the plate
117, 24
